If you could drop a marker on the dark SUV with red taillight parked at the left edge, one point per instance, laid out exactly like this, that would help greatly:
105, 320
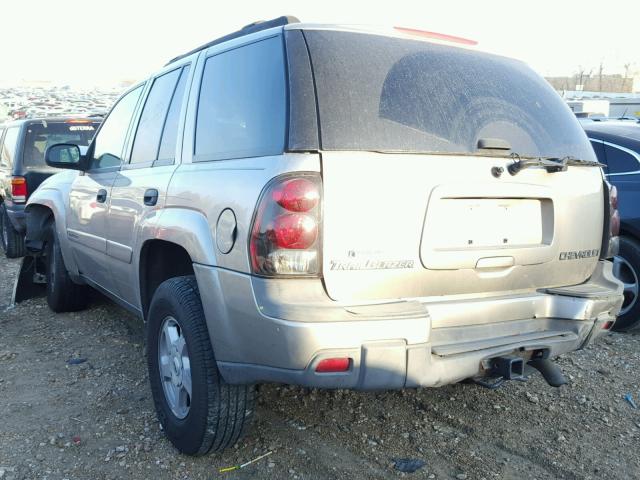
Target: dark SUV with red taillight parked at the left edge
22, 168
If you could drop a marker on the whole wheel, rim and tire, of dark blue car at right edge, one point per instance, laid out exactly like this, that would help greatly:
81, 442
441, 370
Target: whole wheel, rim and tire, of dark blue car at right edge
626, 267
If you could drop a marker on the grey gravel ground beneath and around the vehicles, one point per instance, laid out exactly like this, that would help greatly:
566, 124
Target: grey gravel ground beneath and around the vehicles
95, 420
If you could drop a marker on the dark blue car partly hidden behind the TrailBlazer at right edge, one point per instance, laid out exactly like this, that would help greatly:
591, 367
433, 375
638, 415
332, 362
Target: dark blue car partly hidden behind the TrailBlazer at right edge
617, 144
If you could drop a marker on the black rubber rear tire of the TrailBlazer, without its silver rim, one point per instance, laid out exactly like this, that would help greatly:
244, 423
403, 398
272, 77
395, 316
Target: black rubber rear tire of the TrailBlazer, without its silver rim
218, 414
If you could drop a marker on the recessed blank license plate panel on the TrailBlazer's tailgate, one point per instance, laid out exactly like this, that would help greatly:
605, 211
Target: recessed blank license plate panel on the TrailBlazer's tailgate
466, 232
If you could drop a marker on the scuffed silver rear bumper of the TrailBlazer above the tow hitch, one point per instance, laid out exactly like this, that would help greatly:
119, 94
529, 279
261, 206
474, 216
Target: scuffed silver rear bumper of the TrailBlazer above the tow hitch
265, 331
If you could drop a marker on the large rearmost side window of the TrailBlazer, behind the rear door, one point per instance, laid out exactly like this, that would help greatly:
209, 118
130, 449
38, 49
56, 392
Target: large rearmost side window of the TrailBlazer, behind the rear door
242, 104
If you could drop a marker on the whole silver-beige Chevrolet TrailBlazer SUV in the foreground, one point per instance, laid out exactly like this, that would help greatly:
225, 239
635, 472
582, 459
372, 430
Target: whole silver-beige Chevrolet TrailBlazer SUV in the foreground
333, 207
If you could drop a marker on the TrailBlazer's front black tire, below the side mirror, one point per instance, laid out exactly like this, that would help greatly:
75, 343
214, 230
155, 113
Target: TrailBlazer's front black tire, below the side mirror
63, 294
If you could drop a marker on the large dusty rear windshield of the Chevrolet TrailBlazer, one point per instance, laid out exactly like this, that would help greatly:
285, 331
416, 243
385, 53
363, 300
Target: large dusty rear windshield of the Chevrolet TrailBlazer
399, 95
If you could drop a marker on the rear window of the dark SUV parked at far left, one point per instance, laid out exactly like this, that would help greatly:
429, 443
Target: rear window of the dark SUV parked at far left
43, 134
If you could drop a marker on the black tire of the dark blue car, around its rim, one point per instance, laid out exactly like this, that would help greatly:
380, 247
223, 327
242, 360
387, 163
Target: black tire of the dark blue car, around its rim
630, 253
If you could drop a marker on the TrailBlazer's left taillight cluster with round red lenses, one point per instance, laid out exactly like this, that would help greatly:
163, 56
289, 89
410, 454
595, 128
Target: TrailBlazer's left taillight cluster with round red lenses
285, 233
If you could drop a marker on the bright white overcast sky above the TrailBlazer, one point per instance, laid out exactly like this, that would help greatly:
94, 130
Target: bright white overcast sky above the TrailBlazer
102, 42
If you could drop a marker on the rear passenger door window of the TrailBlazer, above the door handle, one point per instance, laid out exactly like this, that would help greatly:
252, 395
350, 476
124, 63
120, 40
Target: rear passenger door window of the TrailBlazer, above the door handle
154, 116
